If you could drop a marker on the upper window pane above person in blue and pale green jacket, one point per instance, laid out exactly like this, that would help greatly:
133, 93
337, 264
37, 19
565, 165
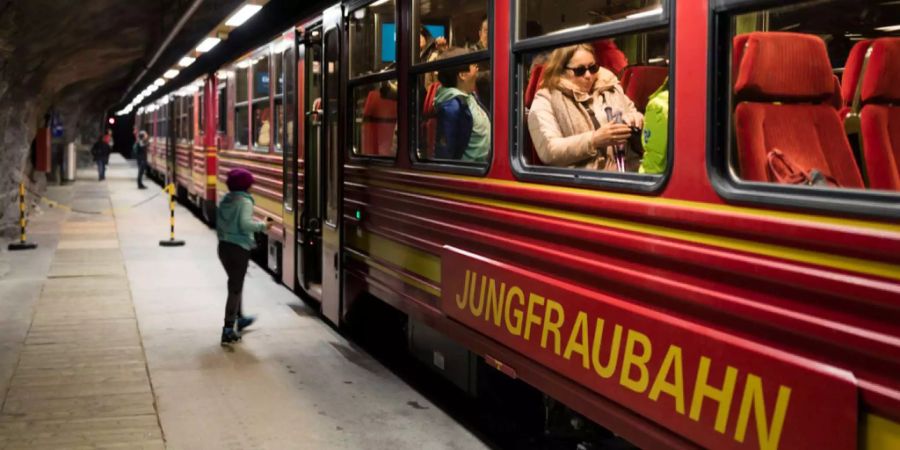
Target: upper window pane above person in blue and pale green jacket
443, 23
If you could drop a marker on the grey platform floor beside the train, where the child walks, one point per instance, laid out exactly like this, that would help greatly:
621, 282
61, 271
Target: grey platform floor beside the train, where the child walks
108, 340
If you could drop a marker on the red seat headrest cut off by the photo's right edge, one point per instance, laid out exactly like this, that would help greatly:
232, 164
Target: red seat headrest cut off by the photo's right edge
882, 78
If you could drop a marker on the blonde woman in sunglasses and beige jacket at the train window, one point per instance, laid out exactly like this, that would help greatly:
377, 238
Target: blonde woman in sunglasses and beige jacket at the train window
581, 117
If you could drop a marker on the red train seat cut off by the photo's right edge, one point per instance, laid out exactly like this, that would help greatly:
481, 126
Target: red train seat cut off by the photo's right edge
880, 114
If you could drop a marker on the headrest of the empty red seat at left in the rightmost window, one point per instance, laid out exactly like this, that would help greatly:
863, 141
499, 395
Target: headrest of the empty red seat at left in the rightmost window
777, 66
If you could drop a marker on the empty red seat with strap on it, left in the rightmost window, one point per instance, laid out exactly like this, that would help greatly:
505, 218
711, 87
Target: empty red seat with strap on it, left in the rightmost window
784, 124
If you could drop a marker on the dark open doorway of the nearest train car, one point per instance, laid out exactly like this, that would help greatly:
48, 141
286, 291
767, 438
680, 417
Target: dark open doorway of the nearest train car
310, 56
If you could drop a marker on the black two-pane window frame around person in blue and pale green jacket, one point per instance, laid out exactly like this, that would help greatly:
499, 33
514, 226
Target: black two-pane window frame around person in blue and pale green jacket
415, 70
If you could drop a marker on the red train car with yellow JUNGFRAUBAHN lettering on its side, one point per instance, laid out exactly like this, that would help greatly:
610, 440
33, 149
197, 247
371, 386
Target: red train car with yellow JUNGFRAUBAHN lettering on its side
737, 285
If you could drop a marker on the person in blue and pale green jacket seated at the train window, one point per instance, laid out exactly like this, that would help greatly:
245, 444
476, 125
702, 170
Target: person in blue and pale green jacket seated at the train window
464, 128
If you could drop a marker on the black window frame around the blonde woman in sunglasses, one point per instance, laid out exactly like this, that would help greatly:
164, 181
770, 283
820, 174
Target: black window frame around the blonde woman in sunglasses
650, 184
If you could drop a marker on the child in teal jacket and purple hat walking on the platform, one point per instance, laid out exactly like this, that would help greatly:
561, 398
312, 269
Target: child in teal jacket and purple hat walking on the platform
236, 228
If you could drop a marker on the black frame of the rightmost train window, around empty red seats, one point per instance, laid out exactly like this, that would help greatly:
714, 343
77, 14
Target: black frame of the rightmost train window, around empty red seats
720, 138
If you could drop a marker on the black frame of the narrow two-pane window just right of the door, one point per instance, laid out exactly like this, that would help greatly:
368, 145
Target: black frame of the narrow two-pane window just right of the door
370, 78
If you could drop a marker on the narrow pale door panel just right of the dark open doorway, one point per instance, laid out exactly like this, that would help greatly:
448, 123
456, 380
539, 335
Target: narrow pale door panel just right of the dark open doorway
331, 229
